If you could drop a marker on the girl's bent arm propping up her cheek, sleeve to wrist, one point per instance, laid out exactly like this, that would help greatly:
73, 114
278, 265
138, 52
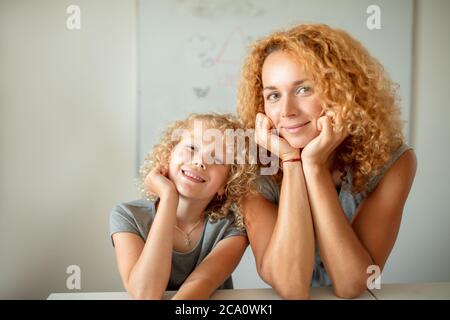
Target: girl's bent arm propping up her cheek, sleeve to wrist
145, 268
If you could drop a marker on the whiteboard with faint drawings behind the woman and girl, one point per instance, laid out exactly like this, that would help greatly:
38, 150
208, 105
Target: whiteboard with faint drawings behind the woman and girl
191, 51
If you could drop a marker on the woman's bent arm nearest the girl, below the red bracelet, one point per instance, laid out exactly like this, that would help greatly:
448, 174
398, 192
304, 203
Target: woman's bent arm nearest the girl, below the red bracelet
282, 239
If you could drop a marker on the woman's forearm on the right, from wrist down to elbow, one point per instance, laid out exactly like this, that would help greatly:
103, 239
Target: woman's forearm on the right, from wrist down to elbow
345, 258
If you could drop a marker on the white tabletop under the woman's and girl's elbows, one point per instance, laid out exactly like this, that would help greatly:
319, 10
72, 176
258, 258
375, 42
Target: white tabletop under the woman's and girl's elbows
420, 291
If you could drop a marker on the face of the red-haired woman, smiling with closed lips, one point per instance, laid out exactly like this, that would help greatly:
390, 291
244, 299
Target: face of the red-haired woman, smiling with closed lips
290, 101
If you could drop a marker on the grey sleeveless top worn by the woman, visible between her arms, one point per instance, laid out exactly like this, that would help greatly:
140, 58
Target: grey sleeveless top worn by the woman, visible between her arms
349, 203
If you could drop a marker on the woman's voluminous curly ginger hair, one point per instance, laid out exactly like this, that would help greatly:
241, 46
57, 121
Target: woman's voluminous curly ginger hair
351, 84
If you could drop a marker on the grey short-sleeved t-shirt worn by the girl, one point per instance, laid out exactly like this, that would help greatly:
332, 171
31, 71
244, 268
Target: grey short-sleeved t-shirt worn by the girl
137, 217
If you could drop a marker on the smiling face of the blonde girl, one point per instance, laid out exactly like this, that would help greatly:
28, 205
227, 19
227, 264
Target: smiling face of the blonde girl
192, 172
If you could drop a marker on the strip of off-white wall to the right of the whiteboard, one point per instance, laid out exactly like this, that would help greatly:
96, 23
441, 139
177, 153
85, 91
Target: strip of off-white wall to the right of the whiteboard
422, 251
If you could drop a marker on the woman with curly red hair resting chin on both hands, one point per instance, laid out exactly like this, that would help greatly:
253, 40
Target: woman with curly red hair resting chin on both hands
335, 207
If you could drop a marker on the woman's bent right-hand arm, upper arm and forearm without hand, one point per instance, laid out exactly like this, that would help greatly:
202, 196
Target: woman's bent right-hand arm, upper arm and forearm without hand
347, 249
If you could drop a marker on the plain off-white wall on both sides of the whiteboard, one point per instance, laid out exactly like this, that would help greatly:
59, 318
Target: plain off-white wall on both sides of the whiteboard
68, 145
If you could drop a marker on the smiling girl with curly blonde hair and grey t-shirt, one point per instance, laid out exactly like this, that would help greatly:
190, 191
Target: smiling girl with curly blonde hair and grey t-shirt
187, 234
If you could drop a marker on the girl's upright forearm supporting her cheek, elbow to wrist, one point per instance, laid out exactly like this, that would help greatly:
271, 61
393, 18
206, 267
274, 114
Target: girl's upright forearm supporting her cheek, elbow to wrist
150, 275
